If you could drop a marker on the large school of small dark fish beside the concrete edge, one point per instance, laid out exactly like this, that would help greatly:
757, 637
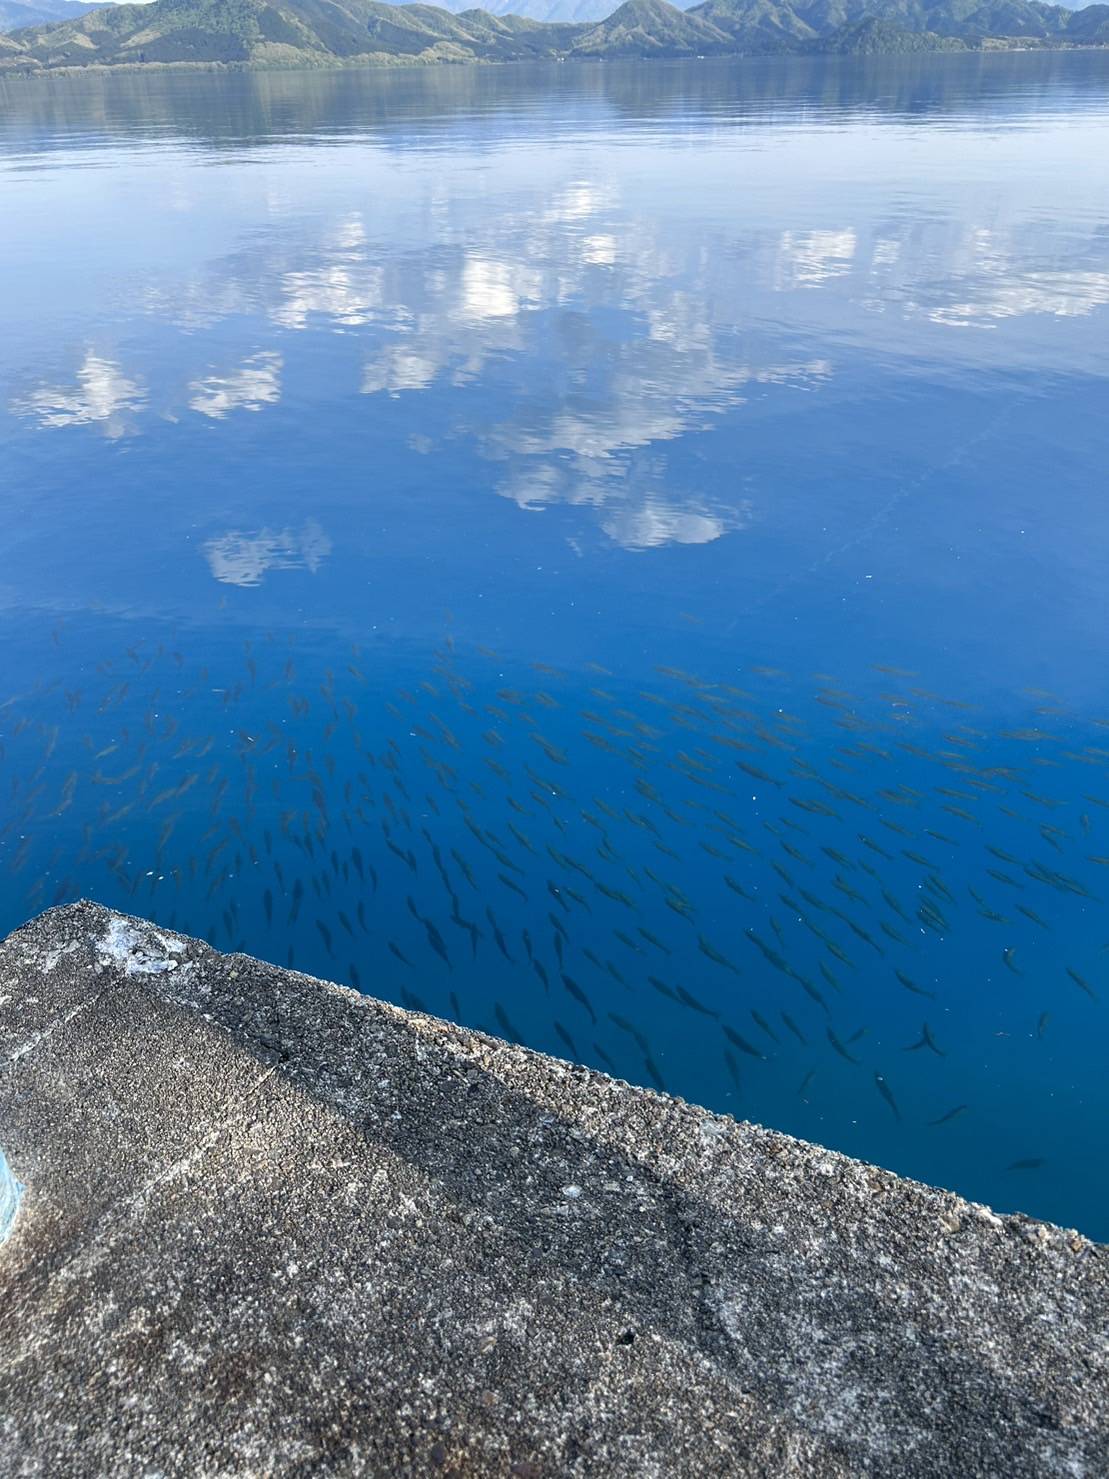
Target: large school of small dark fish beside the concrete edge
635, 876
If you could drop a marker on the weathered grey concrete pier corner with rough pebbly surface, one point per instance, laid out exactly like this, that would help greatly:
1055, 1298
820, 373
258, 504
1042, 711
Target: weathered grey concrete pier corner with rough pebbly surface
274, 1228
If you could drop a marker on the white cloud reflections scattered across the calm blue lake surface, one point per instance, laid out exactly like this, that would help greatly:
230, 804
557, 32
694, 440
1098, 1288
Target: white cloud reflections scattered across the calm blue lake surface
604, 338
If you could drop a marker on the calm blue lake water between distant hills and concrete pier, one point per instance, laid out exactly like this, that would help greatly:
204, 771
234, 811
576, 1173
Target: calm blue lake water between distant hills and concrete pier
614, 555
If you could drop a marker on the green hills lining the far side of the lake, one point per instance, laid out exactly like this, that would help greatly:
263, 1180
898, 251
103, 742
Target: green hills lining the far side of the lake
328, 33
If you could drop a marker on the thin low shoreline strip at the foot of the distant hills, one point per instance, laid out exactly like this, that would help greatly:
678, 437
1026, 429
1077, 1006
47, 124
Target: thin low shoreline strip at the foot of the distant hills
382, 61
